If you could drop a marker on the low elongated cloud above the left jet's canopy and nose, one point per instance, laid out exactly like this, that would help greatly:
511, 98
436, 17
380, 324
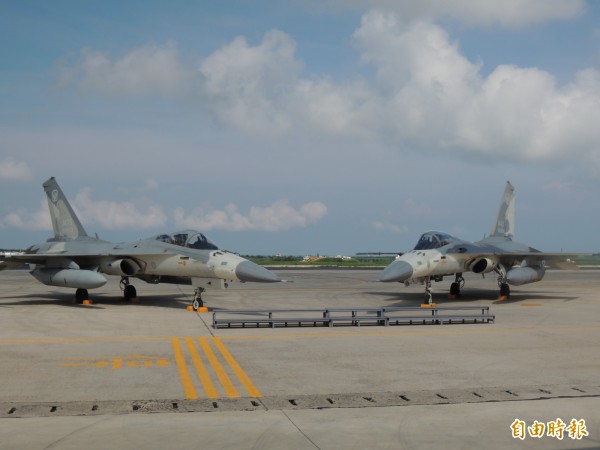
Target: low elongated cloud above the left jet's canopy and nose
279, 216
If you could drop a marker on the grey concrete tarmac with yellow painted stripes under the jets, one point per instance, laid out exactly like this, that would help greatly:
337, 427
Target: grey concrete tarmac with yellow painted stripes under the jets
152, 374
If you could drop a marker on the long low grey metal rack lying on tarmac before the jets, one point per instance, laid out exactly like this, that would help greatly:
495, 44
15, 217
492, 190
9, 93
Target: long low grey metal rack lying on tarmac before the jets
329, 317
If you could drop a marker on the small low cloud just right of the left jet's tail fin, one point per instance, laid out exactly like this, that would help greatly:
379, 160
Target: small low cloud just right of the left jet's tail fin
116, 215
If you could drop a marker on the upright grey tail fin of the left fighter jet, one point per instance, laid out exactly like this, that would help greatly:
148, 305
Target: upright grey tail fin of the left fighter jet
64, 221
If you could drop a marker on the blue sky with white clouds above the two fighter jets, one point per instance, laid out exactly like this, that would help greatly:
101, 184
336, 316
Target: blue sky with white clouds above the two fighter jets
302, 127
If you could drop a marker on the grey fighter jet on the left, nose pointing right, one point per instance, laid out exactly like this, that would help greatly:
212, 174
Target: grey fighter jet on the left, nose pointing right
75, 260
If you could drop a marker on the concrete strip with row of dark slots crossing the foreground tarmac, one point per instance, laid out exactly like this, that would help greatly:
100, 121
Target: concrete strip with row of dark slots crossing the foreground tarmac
281, 403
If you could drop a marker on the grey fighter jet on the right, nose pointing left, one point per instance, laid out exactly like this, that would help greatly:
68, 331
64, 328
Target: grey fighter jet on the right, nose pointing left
438, 254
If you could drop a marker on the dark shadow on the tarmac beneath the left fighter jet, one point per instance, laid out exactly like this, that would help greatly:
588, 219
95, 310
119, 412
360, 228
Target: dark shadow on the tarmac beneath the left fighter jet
99, 301
